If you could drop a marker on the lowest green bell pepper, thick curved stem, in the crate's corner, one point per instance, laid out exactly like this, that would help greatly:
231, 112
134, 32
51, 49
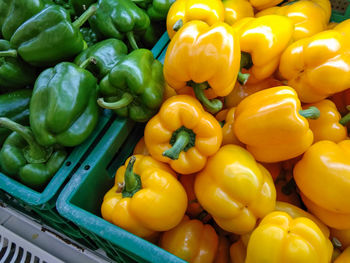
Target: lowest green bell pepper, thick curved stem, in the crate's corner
22, 157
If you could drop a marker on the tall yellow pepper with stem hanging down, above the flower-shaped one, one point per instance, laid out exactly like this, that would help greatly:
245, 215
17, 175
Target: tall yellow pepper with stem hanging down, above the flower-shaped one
188, 61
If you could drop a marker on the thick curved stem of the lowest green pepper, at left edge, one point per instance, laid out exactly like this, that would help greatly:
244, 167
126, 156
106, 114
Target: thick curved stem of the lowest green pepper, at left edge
34, 153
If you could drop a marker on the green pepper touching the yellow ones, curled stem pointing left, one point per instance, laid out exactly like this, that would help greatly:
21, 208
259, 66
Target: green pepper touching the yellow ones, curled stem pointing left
135, 86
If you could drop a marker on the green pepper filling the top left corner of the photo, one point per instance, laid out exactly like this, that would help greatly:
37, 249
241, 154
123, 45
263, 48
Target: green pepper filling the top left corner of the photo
15, 12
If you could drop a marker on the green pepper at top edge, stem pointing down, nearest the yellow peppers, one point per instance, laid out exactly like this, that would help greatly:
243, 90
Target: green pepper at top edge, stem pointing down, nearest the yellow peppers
119, 18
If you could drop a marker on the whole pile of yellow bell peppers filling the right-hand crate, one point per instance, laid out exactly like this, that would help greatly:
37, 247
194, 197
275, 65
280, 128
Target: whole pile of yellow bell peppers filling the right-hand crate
248, 158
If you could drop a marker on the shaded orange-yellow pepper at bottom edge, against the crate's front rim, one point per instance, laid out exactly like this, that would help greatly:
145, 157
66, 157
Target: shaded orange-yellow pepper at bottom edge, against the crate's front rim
192, 241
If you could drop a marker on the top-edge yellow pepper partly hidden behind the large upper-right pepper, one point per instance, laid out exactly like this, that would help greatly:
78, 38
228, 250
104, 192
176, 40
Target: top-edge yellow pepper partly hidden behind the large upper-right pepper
308, 16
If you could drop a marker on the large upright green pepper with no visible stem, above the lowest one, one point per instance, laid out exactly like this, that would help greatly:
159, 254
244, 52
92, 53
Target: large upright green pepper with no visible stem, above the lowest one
63, 108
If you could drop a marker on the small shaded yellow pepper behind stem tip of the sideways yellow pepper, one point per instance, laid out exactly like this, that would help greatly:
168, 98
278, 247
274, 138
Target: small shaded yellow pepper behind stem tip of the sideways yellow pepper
327, 126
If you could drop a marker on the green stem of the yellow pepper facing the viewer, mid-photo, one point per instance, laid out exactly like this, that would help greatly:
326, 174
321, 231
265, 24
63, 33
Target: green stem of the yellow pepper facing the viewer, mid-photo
181, 140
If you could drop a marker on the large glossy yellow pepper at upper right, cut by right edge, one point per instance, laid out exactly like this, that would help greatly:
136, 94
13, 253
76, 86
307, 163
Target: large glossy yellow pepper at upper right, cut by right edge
319, 66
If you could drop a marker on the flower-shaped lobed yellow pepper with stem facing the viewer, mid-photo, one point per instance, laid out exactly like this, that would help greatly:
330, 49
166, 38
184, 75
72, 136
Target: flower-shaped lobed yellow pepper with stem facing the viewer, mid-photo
183, 134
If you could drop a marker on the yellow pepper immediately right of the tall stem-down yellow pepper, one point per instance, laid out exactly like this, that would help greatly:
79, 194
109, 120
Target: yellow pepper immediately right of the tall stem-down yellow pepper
262, 41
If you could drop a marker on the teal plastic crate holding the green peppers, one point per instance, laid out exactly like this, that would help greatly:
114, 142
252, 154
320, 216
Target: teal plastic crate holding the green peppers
41, 205
